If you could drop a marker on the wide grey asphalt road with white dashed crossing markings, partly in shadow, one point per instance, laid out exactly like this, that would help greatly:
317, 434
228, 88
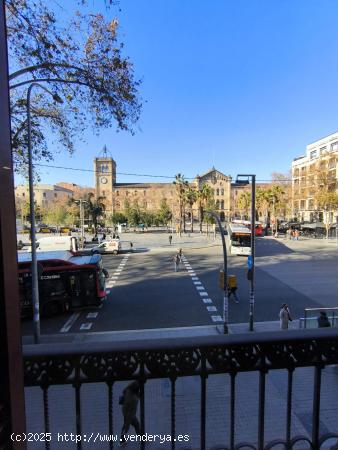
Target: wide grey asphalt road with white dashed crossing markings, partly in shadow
146, 292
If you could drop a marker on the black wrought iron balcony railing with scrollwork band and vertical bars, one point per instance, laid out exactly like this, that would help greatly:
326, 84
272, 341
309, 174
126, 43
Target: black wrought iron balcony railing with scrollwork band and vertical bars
108, 363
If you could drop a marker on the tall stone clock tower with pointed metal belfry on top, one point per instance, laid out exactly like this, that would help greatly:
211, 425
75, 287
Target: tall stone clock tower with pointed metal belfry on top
105, 178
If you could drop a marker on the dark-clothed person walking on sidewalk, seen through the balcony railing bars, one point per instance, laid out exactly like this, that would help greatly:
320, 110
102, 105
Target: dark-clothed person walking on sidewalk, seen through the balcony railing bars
129, 402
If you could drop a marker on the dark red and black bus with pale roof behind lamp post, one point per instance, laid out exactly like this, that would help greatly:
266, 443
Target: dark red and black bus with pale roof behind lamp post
67, 282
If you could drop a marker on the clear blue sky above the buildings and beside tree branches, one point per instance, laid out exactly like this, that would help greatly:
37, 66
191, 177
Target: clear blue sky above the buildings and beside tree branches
243, 85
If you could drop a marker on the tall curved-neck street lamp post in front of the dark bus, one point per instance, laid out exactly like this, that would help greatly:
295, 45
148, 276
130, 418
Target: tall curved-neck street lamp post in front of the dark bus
34, 270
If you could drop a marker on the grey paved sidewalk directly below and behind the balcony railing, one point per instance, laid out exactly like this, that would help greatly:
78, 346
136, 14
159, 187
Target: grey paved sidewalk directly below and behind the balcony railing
94, 401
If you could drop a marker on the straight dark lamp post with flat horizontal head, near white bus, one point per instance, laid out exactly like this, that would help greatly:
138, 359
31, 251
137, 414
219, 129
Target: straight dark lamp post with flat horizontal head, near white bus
253, 225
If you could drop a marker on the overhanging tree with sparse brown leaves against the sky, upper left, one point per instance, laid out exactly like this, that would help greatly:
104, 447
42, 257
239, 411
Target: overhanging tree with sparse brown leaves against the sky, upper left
81, 61
